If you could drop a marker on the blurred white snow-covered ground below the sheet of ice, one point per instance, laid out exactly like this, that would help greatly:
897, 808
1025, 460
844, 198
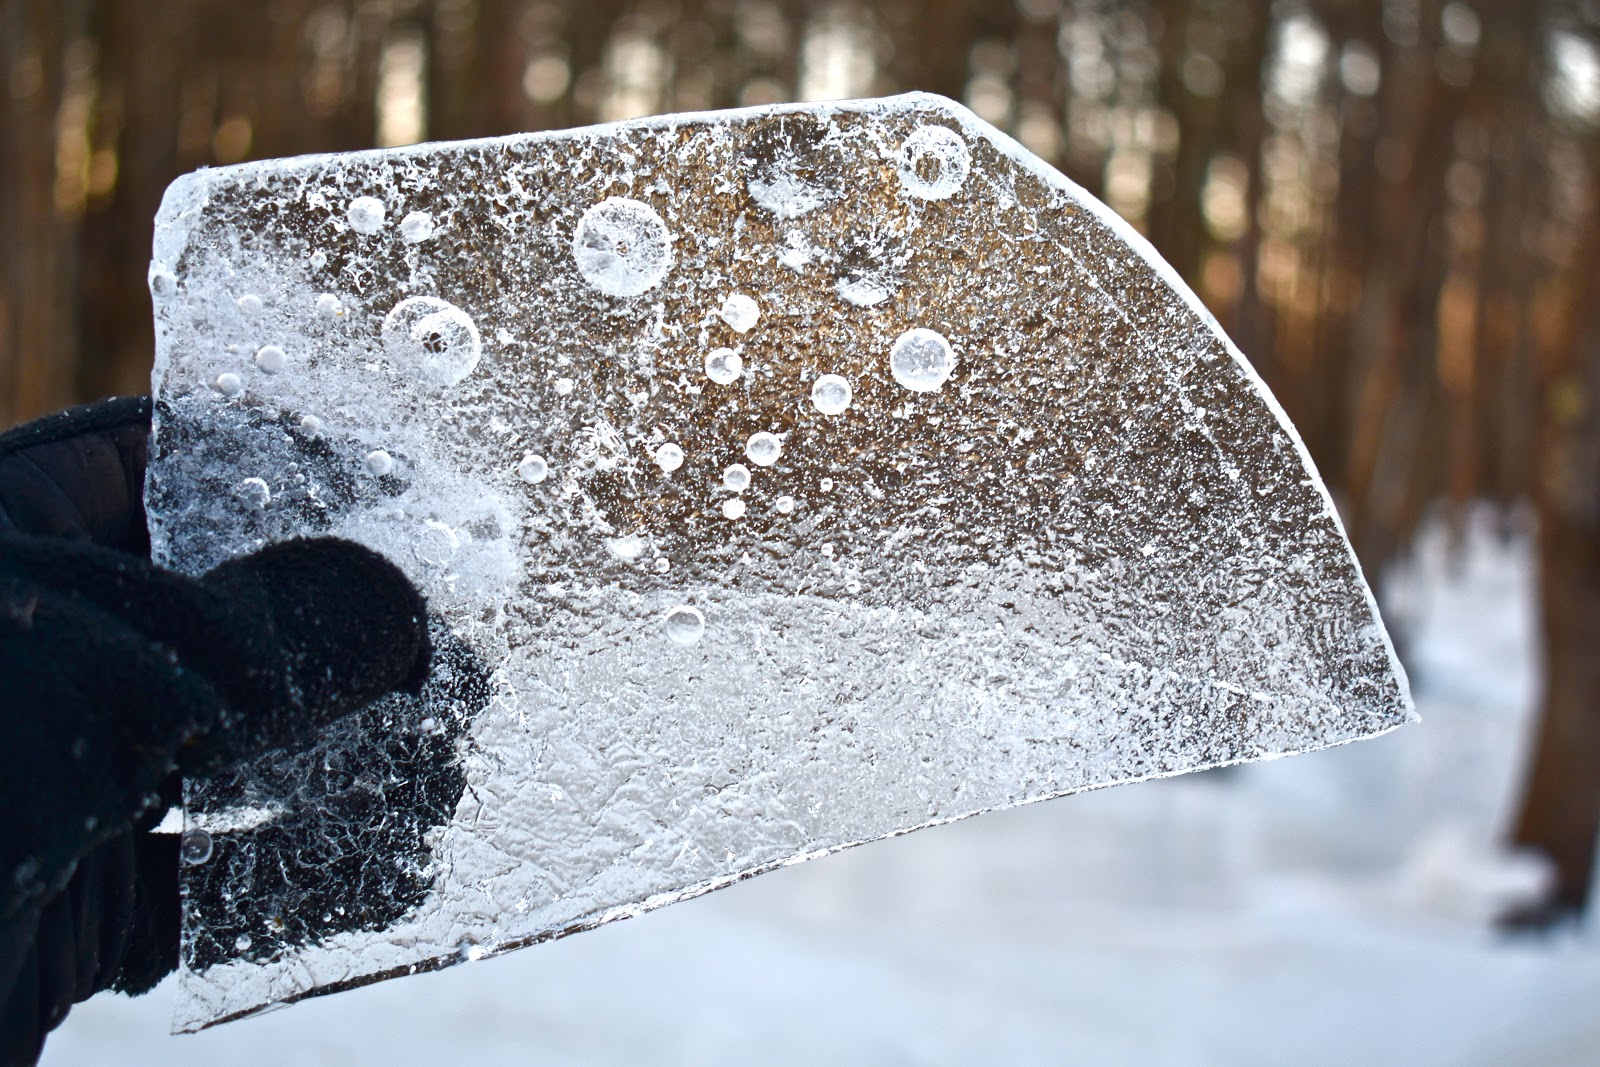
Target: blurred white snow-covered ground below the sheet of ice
1326, 909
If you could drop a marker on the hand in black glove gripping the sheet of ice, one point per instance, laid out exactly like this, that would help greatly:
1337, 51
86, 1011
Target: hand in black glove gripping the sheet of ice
118, 676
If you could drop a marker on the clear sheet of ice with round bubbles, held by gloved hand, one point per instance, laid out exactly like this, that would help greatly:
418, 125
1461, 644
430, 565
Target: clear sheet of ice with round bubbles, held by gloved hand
1014, 518
